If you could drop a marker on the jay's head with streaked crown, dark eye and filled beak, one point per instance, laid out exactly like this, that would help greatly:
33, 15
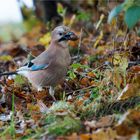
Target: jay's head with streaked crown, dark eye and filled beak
62, 34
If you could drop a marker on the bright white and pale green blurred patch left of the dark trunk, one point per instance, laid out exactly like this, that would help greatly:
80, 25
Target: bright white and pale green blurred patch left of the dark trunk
11, 18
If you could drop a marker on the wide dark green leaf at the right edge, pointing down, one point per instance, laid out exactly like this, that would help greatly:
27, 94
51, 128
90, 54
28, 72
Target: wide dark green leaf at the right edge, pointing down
132, 16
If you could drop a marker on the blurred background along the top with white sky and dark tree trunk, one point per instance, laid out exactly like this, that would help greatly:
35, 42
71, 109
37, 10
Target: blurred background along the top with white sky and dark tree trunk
20, 16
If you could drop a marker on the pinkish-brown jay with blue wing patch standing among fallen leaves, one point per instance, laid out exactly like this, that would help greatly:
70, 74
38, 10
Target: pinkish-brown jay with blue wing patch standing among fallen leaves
50, 67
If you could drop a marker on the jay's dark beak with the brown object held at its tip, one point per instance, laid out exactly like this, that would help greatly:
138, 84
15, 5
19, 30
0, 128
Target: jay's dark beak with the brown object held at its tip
69, 36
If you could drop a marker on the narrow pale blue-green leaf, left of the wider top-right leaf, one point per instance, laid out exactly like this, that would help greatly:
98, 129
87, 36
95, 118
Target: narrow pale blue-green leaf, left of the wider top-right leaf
115, 12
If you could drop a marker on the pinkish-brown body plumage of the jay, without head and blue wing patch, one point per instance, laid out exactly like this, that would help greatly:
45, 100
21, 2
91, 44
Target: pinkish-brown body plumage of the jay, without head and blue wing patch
58, 59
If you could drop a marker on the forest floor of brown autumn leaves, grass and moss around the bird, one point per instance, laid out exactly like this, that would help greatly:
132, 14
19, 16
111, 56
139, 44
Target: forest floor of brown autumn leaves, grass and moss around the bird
100, 97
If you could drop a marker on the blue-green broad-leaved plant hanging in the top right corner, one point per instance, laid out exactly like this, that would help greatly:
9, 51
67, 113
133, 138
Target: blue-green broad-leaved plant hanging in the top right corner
132, 12
